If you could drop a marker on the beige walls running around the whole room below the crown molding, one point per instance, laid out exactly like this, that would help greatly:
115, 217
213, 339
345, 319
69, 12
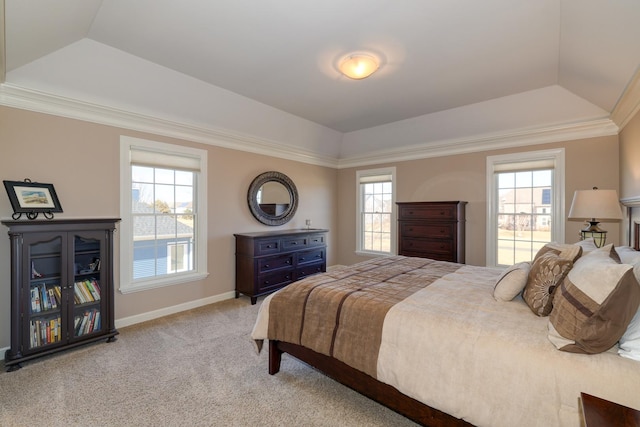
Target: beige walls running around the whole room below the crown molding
81, 160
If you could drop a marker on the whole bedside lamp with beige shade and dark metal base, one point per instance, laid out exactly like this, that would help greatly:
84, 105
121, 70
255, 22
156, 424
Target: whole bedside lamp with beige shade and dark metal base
591, 204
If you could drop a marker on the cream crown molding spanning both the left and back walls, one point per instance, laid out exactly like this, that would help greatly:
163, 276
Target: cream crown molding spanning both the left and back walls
41, 102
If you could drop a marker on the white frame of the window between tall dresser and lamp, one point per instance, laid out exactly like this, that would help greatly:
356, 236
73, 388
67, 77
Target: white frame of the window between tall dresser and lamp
554, 159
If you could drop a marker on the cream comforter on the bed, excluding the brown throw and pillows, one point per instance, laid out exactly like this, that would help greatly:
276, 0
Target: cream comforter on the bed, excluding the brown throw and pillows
455, 348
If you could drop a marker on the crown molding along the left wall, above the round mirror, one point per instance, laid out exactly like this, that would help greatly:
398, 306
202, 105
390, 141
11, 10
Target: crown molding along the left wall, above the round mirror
41, 102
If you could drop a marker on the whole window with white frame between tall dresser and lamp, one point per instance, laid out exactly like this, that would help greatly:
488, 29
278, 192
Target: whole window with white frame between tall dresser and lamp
525, 206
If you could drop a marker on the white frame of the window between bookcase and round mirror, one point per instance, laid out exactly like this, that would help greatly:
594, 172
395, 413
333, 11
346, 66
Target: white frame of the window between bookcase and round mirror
127, 283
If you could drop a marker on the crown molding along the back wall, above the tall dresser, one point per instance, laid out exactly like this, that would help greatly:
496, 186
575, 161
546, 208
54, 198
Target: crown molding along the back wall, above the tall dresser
520, 138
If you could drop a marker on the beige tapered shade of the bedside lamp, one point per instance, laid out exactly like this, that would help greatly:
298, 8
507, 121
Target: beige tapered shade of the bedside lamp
592, 204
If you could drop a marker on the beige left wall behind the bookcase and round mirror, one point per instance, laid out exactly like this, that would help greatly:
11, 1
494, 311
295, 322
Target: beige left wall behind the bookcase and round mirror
82, 160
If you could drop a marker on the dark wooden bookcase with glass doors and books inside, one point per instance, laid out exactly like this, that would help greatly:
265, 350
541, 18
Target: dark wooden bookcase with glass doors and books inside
61, 286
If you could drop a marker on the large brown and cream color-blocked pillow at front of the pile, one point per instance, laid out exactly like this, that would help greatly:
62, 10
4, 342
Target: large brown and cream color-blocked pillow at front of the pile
594, 304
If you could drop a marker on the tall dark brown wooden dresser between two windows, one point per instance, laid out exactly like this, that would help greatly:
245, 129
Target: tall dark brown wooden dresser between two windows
432, 230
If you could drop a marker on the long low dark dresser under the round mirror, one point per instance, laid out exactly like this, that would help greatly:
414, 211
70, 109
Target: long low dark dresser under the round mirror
268, 261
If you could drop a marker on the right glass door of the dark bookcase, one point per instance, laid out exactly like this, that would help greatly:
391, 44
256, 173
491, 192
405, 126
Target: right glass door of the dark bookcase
87, 312
